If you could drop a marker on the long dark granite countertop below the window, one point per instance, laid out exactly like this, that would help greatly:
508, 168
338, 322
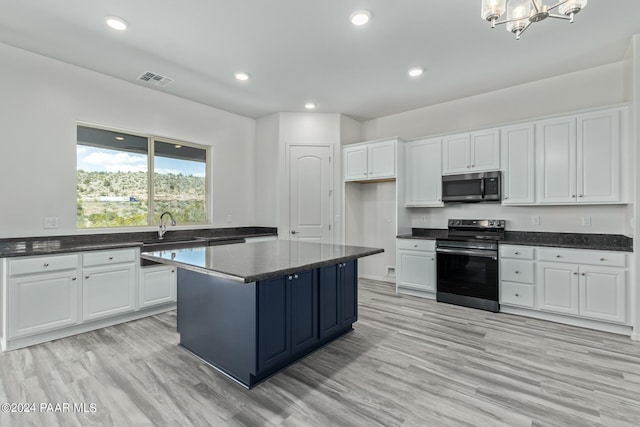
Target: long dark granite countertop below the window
15, 247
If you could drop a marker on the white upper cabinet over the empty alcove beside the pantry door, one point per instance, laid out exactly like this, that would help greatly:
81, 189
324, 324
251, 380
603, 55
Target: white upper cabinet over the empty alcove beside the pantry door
370, 161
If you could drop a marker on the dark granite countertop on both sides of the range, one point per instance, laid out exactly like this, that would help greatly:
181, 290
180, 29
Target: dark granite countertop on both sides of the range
603, 242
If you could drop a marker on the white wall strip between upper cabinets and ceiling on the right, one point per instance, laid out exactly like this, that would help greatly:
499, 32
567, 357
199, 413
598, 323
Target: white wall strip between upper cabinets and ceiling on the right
569, 92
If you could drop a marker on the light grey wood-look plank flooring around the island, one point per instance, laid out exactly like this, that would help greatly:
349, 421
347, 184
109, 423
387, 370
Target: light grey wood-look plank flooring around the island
409, 362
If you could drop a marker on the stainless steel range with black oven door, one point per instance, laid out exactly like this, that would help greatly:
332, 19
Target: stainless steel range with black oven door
467, 263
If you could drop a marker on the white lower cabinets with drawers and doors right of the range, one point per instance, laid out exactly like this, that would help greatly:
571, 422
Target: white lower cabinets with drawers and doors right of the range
586, 284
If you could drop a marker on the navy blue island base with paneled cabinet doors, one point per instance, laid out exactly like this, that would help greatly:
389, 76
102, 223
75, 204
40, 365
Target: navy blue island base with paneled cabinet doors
251, 331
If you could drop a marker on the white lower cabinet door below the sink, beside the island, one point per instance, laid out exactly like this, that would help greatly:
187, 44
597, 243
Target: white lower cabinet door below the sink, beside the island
157, 286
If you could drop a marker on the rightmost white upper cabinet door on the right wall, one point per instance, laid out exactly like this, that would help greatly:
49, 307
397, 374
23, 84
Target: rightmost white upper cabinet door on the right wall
598, 161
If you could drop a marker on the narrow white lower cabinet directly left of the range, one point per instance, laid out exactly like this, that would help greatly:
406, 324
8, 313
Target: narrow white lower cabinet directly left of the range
415, 266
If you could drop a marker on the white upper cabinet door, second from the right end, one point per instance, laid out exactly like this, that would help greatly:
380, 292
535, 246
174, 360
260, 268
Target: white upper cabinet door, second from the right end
556, 161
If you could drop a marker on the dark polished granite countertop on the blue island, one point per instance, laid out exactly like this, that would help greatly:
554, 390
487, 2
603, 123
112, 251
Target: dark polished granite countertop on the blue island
251, 262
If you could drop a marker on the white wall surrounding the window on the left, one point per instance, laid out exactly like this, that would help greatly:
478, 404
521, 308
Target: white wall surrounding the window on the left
42, 99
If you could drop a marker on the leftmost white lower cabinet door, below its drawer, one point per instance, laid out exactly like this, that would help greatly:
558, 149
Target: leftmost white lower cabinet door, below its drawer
41, 303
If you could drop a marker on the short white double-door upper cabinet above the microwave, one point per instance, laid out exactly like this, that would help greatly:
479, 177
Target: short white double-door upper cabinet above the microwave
471, 152
